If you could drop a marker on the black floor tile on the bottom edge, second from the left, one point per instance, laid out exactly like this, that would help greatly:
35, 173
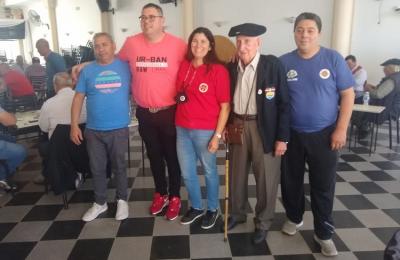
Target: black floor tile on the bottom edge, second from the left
87, 249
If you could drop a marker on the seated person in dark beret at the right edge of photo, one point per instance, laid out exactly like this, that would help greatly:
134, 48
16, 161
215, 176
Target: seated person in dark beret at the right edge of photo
386, 93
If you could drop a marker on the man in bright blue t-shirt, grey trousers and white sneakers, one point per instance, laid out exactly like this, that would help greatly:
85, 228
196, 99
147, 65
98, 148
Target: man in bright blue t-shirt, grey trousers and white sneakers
105, 83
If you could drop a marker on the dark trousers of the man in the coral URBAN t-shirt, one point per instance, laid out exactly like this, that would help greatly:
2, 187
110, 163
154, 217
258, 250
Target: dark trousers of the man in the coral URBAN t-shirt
159, 135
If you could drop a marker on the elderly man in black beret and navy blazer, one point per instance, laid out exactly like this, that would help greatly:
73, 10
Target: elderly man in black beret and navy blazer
261, 104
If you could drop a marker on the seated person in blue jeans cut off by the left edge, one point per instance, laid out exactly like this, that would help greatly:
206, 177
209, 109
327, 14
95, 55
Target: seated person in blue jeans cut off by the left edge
10, 152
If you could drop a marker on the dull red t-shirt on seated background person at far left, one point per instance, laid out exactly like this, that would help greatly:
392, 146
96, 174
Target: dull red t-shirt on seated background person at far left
18, 84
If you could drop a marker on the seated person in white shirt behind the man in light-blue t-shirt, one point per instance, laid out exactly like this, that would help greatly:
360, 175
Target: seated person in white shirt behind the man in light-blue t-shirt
57, 110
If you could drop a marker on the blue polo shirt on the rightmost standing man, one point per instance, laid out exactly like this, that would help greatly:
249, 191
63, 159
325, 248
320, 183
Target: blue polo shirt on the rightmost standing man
314, 88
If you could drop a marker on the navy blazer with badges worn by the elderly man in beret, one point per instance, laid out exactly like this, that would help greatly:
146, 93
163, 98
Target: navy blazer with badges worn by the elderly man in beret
272, 99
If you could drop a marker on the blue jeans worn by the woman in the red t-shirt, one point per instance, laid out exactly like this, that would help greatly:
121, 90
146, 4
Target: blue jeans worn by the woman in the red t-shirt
192, 145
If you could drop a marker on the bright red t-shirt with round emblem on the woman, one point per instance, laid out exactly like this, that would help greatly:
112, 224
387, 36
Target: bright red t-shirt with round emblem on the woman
205, 91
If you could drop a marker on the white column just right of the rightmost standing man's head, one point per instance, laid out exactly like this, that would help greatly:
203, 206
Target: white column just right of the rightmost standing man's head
342, 25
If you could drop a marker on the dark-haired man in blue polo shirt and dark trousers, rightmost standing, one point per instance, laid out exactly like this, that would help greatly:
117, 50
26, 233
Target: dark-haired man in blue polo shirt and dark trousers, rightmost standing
316, 78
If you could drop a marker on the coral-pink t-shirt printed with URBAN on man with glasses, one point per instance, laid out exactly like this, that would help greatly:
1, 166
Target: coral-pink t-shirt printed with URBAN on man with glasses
154, 67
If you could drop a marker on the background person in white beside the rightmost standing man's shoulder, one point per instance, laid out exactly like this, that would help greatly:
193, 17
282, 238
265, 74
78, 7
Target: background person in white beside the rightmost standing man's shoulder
360, 77
